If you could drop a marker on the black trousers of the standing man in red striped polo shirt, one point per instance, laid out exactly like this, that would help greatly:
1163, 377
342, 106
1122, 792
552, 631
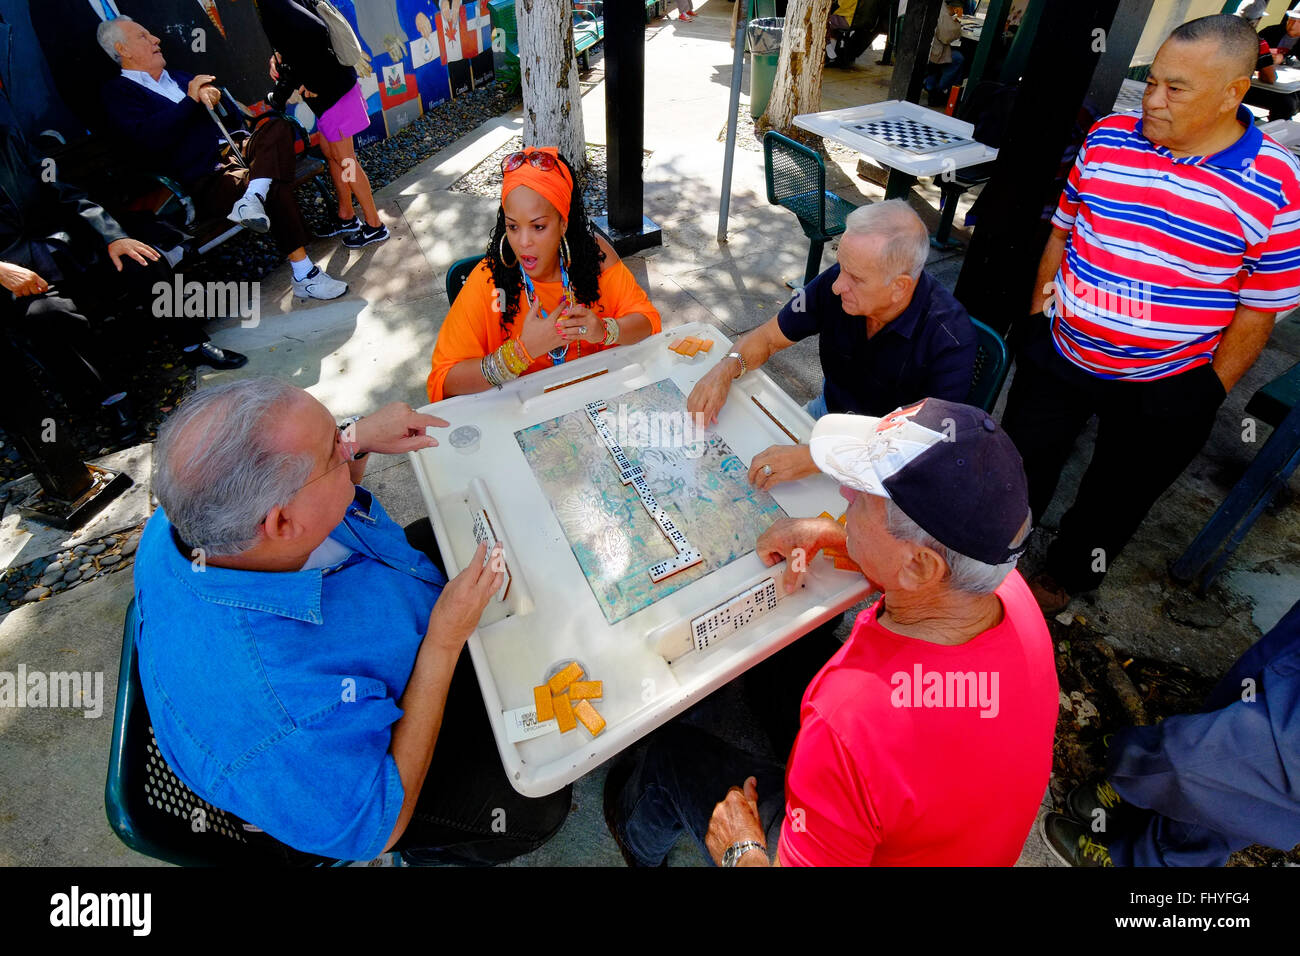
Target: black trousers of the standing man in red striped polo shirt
1147, 434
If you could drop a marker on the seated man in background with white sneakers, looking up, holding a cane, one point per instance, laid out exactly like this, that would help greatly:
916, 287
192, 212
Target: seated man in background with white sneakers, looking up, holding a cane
163, 119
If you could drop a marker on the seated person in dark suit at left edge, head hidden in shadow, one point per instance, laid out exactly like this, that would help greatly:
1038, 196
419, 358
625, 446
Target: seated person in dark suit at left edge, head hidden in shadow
66, 265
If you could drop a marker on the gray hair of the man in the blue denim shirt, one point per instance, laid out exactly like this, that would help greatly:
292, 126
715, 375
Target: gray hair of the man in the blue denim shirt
215, 470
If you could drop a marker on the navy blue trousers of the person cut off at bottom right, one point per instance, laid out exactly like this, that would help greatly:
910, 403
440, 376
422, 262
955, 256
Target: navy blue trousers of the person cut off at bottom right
1225, 778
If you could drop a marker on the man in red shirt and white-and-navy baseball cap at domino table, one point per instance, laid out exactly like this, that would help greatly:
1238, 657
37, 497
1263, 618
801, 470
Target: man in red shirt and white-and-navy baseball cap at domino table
928, 738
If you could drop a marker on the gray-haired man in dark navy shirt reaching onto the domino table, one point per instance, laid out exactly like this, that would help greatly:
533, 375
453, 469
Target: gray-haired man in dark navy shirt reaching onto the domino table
889, 335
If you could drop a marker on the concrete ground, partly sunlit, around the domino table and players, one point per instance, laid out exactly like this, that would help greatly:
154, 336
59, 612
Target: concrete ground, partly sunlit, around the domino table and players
374, 347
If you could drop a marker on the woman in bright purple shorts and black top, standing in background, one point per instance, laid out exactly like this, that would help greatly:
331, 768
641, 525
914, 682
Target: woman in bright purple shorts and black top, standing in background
301, 41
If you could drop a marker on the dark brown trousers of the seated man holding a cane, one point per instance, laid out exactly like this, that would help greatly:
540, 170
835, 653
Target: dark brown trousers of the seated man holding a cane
270, 155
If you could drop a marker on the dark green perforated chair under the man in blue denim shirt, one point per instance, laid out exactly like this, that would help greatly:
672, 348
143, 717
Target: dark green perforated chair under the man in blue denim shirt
151, 811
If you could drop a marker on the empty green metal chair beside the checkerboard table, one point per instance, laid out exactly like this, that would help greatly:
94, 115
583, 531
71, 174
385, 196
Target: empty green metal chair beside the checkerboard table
796, 179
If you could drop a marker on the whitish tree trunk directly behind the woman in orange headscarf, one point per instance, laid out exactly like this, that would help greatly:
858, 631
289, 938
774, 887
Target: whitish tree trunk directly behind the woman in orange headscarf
548, 71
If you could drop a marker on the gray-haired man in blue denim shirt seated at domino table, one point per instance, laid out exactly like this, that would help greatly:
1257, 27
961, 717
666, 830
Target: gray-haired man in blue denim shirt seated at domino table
298, 656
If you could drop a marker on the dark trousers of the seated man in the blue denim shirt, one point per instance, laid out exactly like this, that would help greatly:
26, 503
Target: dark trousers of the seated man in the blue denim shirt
467, 811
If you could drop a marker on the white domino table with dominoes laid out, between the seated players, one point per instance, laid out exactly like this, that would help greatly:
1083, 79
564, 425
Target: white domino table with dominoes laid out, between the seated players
658, 661
